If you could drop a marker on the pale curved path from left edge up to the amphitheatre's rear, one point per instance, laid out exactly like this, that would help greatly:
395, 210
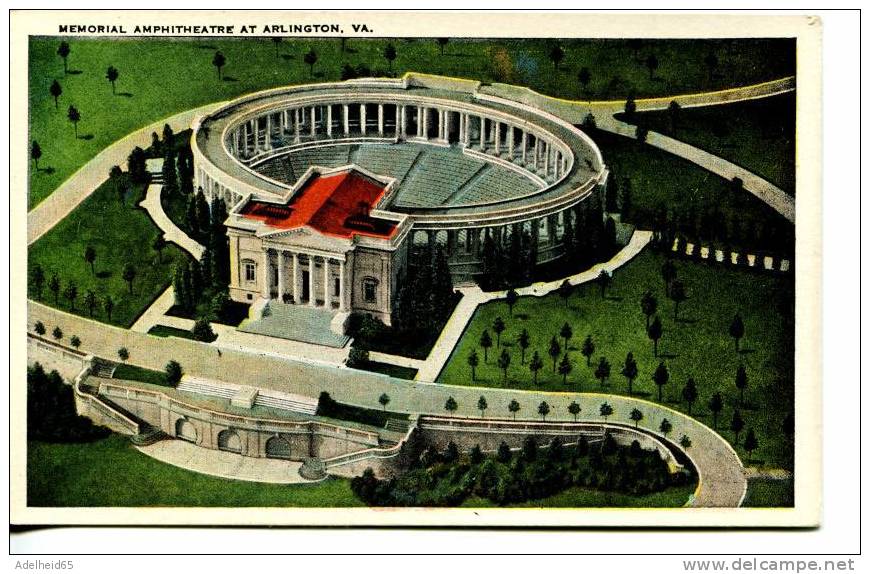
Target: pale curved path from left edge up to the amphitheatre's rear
84, 181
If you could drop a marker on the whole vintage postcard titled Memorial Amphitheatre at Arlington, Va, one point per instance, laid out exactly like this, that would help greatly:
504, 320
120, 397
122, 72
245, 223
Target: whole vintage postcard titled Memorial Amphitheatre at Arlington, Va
372, 268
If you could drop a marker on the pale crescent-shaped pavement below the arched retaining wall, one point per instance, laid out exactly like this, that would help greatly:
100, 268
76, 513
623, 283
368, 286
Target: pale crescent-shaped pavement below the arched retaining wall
224, 464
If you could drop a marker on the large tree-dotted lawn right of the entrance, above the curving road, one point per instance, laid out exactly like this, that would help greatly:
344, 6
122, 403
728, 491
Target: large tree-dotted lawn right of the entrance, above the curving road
697, 345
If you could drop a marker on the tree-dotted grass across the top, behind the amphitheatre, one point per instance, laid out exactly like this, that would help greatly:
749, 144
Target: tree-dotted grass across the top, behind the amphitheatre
161, 77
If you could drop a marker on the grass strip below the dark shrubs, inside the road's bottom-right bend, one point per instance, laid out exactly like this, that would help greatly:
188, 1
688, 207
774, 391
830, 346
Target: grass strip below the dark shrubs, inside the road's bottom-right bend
580, 497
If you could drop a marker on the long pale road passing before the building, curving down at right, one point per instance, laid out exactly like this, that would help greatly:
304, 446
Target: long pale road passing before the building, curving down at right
721, 473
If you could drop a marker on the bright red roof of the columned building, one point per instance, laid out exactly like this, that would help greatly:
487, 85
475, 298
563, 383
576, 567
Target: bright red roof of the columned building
336, 204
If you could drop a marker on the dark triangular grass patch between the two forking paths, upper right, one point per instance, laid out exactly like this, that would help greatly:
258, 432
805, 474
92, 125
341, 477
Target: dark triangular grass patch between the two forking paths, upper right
758, 135
